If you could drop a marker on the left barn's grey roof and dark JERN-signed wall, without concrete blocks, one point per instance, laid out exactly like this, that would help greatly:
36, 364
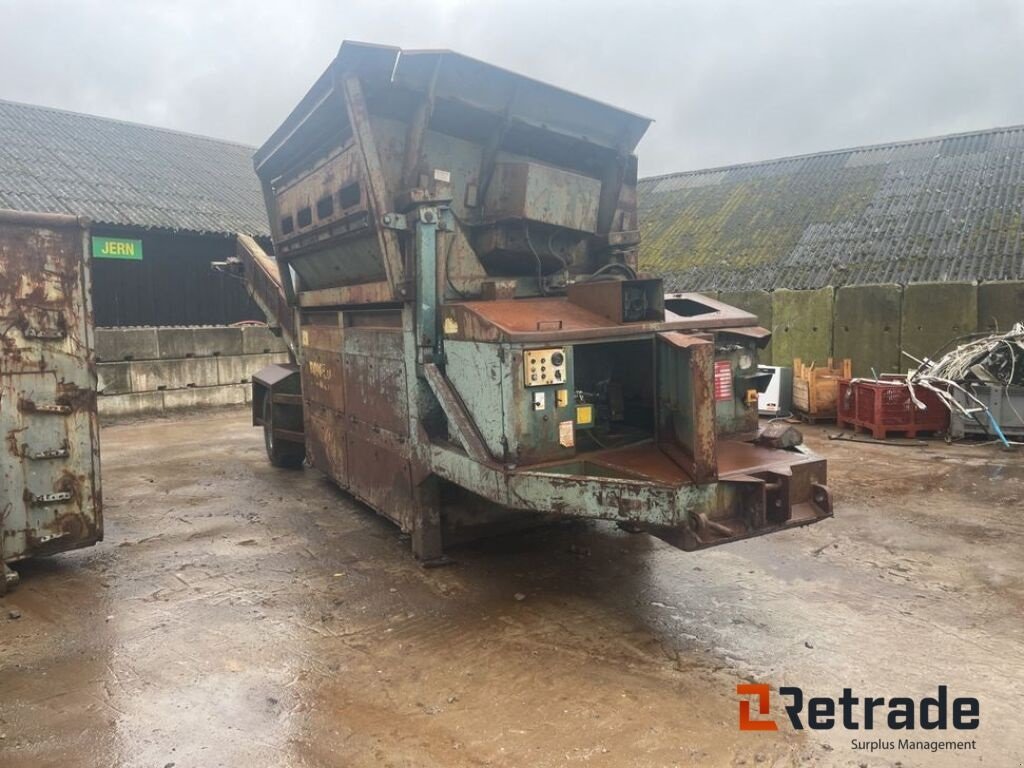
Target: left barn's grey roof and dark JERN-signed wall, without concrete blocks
163, 206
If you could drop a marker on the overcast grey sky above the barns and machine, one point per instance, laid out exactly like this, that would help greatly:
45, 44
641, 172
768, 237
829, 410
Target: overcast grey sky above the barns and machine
726, 81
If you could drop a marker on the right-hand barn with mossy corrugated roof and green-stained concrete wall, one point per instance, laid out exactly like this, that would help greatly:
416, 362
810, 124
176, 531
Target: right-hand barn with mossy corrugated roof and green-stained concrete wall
858, 253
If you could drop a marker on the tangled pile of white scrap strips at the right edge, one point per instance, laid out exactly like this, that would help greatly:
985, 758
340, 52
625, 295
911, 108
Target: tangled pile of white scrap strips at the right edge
996, 361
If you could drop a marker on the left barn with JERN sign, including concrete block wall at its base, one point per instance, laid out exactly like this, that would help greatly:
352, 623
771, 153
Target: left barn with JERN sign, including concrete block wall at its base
163, 206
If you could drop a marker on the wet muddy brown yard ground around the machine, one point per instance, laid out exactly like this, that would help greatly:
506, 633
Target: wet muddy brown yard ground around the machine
243, 616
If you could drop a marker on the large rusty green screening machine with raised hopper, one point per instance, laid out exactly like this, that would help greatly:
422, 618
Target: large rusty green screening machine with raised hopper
456, 271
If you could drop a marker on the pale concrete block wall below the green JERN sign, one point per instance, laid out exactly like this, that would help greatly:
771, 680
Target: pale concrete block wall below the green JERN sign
148, 370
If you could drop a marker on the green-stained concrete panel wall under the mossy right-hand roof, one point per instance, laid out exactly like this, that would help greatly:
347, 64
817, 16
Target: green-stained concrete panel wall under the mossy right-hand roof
872, 324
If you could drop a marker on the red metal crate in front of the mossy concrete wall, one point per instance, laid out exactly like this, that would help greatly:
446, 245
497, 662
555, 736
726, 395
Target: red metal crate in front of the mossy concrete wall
885, 406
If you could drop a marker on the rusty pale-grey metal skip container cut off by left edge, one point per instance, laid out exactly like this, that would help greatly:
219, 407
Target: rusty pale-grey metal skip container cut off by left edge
50, 466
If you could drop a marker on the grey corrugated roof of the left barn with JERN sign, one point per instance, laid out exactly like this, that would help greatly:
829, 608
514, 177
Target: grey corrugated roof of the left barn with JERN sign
127, 175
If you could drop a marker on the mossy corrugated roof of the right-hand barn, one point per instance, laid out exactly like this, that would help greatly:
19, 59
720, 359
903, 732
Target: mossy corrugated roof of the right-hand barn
948, 208
